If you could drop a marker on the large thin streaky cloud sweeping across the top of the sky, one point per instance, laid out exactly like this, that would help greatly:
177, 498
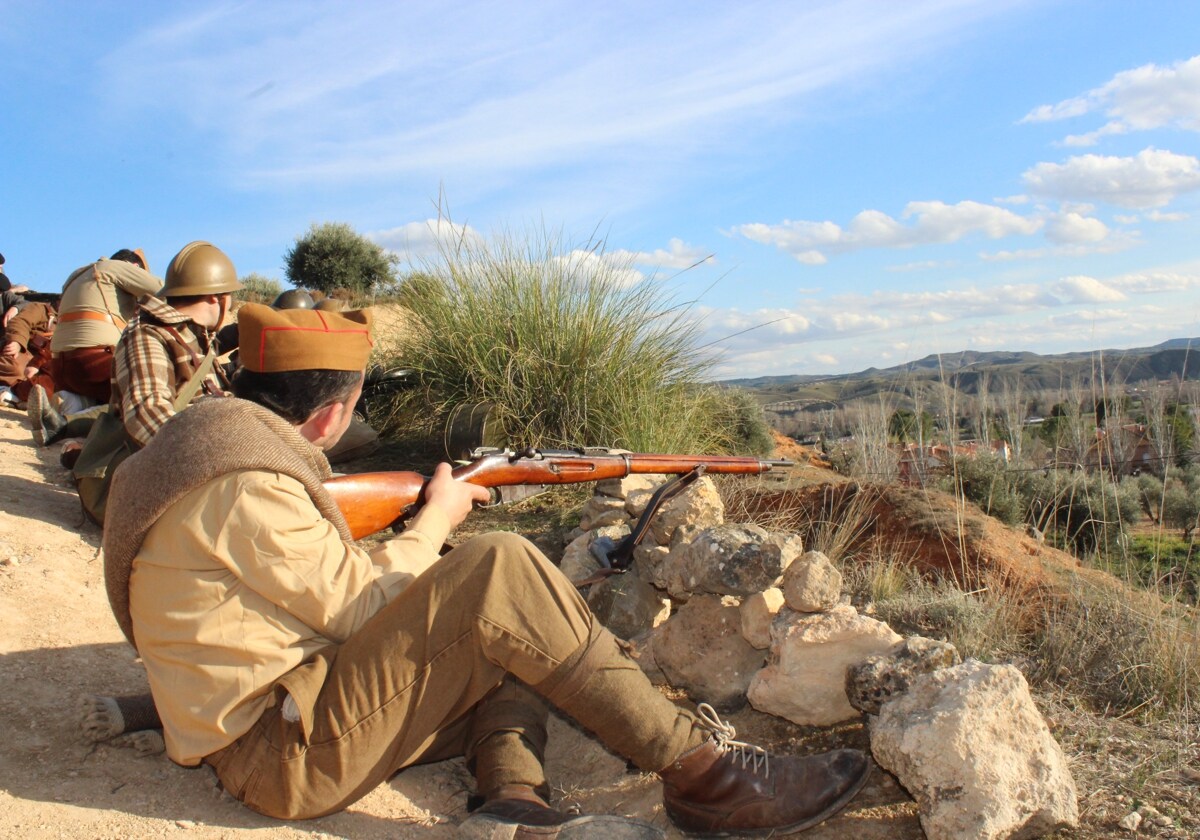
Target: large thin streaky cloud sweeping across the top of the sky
369, 89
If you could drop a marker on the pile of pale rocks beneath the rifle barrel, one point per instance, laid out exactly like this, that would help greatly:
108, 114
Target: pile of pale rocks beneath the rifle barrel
733, 614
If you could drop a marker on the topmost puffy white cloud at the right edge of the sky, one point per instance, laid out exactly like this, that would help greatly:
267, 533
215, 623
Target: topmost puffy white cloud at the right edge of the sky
1136, 100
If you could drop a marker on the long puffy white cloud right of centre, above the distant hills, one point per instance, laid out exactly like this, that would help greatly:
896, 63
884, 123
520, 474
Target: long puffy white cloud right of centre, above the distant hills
932, 223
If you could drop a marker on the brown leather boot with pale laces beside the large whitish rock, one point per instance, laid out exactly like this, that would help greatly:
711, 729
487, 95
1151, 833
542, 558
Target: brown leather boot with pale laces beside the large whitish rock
727, 787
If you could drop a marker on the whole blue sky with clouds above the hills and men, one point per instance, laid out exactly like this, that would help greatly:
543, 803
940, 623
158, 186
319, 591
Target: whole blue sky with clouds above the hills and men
866, 183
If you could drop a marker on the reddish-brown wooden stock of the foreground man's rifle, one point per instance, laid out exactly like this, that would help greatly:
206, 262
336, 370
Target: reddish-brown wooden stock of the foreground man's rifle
374, 501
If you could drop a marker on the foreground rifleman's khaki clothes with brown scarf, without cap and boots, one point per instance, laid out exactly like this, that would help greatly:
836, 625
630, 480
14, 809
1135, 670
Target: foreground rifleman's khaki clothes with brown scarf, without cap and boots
307, 671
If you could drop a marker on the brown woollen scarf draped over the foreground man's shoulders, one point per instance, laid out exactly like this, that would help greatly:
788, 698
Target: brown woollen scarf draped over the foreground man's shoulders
211, 440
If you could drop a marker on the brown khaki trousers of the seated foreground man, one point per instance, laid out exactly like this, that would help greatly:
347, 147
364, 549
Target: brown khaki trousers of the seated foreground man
435, 675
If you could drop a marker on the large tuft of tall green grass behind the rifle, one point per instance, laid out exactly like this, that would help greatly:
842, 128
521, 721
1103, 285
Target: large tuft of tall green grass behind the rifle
572, 347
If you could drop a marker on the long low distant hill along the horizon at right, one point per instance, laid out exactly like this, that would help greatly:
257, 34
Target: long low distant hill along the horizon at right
964, 371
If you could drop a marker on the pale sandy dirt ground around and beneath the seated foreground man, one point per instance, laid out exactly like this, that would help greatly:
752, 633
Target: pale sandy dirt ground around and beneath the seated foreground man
59, 641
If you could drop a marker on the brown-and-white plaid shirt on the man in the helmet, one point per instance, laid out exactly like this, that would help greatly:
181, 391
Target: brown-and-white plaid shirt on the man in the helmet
157, 357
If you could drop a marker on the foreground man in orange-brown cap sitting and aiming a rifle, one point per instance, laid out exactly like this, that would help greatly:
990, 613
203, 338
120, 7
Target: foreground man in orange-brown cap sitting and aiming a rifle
325, 669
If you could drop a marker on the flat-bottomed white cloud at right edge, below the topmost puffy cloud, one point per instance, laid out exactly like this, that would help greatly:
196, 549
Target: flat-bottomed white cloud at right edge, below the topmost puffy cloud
1150, 179
